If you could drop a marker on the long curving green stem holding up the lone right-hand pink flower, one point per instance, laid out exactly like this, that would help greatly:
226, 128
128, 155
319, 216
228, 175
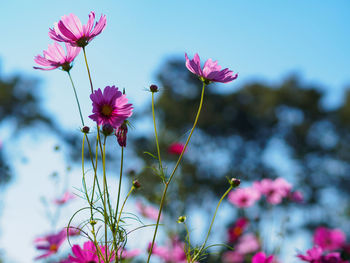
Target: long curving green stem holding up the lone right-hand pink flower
173, 172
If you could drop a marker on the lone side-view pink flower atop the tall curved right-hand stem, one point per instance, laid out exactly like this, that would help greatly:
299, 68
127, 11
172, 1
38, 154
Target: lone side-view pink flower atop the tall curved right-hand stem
211, 71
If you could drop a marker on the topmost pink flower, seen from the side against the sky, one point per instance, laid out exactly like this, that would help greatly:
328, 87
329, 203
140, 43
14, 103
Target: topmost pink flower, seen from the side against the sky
70, 30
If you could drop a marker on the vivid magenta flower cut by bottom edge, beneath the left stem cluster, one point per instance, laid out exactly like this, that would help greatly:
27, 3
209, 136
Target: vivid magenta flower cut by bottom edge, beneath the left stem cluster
88, 253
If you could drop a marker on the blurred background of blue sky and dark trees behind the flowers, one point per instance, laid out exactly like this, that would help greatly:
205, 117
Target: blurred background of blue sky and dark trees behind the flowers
286, 115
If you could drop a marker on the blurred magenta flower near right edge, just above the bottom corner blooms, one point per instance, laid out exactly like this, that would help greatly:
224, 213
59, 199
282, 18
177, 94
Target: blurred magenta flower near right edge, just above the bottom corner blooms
329, 239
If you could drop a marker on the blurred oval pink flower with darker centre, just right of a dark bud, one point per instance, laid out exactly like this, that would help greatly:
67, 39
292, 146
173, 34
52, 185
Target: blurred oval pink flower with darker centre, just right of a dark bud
244, 197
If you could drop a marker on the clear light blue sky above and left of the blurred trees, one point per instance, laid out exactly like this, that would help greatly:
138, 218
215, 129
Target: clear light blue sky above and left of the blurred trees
259, 39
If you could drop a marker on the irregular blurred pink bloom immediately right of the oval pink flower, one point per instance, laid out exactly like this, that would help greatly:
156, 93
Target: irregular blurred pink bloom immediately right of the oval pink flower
274, 190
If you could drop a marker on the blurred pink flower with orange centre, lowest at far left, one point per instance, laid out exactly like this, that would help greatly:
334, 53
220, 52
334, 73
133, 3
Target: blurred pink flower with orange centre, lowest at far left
50, 243
